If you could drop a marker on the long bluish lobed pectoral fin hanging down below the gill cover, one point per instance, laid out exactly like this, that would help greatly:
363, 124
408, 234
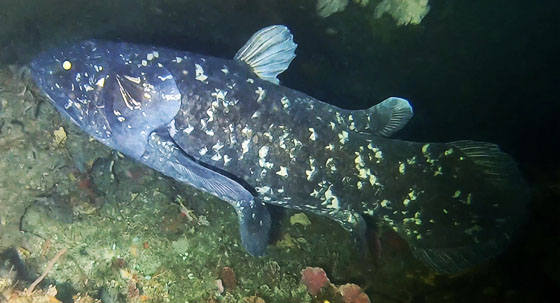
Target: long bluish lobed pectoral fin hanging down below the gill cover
254, 219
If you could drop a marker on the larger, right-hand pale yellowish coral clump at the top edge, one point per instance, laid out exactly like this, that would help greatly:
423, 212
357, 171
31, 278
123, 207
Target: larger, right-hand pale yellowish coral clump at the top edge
403, 11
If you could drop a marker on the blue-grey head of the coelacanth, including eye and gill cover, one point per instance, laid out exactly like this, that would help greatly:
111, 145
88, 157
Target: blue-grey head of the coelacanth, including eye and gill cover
109, 90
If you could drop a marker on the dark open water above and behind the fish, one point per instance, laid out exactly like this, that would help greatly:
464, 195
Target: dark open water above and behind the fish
481, 70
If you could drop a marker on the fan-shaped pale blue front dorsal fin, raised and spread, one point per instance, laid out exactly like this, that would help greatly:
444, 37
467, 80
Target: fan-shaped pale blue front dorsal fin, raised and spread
269, 52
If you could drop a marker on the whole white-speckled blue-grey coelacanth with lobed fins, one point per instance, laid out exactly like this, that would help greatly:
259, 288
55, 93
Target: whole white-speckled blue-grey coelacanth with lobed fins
227, 127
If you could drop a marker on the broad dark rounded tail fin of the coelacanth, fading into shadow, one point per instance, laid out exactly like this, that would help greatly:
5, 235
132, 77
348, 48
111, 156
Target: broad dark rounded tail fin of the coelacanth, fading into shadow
466, 208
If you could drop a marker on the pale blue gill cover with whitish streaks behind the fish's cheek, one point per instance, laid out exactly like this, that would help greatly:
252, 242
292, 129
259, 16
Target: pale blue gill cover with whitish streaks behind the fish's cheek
136, 100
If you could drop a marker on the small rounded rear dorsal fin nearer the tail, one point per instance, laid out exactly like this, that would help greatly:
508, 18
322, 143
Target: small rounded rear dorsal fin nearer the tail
390, 116
